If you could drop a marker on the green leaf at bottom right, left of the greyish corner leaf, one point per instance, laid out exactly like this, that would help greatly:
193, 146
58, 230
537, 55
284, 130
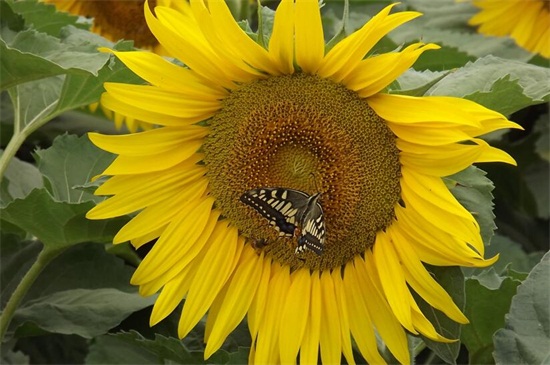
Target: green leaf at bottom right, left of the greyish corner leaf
488, 298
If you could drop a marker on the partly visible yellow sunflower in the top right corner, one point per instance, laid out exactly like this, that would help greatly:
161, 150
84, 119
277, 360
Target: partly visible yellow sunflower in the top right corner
526, 21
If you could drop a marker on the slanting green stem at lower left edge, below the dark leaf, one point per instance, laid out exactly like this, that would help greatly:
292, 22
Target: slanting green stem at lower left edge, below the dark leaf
43, 259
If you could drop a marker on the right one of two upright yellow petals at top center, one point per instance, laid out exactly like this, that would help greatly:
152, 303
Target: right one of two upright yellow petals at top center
310, 41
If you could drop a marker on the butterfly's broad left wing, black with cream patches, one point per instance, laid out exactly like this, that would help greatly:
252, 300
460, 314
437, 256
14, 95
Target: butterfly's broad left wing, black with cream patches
283, 208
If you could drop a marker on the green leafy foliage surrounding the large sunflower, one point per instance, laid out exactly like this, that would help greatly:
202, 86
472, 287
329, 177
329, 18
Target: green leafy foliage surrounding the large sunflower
82, 309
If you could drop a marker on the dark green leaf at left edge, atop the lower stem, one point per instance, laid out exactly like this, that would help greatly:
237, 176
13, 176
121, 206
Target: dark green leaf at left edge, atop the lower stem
59, 224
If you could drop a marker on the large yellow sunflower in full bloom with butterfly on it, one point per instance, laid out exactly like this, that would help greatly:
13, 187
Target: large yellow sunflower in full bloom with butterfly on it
292, 119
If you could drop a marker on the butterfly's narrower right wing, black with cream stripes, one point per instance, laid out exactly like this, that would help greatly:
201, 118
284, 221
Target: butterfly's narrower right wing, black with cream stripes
313, 230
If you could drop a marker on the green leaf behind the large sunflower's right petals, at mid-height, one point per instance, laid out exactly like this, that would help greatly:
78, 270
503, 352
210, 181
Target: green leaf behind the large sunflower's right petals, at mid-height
473, 191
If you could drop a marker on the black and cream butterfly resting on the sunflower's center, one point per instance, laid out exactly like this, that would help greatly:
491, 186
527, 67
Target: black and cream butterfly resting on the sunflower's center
291, 212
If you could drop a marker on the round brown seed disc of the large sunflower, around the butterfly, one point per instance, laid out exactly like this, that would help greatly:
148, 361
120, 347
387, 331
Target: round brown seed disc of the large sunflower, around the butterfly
310, 134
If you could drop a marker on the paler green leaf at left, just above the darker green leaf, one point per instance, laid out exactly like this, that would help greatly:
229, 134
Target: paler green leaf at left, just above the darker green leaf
72, 161
